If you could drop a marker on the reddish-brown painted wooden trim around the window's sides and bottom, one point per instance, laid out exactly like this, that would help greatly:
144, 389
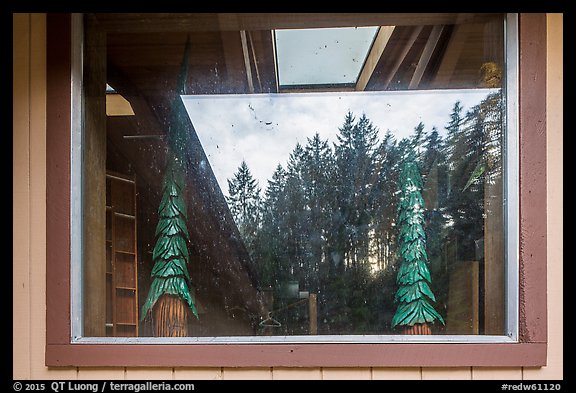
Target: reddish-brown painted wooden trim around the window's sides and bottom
530, 350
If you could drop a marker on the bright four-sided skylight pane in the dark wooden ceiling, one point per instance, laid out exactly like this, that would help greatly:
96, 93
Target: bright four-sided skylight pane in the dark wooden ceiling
322, 57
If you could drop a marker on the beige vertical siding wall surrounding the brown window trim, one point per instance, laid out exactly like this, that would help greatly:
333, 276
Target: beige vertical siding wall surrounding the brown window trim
29, 238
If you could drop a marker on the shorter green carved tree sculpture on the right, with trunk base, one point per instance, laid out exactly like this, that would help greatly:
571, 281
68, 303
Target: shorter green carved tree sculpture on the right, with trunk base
414, 295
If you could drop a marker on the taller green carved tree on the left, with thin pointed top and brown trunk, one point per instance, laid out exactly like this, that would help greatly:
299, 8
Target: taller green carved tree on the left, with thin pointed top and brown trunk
169, 298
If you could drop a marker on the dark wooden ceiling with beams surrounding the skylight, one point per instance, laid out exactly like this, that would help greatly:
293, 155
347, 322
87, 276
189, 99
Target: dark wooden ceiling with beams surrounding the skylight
236, 53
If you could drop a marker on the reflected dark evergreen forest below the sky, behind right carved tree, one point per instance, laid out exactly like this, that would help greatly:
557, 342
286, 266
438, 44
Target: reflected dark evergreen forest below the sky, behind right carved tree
326, 220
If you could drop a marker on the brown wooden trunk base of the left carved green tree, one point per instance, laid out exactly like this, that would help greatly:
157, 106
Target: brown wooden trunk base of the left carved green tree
170, 317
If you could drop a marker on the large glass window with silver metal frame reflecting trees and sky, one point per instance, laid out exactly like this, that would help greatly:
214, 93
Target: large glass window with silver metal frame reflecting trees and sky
231, 194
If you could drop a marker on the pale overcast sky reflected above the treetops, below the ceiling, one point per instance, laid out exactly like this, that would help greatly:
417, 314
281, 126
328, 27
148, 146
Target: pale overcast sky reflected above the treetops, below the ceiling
263, 129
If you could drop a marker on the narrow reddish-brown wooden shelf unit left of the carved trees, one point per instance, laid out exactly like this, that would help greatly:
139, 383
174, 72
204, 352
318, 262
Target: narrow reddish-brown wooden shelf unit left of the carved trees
122, 256
